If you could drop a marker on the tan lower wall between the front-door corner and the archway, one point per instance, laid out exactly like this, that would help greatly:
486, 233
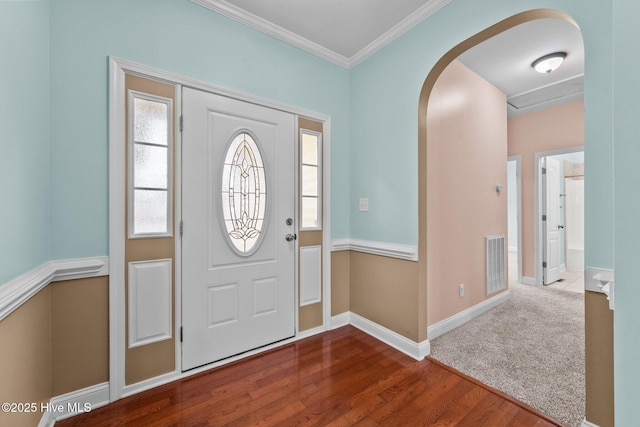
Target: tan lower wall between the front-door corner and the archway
385, 291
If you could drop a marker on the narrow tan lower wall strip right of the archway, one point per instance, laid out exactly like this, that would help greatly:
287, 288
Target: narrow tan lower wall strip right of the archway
599, 360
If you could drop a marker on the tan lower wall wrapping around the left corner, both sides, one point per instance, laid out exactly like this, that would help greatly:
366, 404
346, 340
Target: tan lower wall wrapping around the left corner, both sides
55, 343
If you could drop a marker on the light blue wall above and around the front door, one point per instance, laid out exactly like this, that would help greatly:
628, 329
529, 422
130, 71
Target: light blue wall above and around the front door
181, 37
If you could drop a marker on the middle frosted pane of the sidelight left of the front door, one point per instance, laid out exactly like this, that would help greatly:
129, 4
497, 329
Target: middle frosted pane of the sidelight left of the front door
150, 166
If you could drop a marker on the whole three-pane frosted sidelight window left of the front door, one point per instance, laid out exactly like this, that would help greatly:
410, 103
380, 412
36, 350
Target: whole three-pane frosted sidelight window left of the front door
149, 165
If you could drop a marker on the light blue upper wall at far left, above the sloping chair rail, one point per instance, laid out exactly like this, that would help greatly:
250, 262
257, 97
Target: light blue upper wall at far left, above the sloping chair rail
24, 140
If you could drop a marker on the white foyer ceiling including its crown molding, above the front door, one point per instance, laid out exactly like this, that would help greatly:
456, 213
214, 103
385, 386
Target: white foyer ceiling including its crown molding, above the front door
344, 32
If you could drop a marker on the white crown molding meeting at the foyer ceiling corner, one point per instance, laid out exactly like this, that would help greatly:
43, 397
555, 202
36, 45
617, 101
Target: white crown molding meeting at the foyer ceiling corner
260, 24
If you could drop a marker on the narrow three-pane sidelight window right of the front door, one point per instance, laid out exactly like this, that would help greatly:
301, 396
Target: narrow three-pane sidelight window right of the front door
310, 180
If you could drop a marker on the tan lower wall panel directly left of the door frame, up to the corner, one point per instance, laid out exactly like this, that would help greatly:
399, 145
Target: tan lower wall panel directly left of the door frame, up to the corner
79, 333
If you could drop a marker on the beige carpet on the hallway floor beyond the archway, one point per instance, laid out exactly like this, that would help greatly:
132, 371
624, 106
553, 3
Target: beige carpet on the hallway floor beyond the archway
531, 348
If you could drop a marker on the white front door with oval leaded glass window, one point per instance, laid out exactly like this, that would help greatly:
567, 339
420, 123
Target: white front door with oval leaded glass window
238, 264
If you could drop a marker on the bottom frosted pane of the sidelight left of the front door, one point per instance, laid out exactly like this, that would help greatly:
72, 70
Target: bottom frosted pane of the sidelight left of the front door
150, 212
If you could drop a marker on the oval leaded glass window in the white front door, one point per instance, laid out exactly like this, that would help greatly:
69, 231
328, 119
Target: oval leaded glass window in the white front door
244, 193
